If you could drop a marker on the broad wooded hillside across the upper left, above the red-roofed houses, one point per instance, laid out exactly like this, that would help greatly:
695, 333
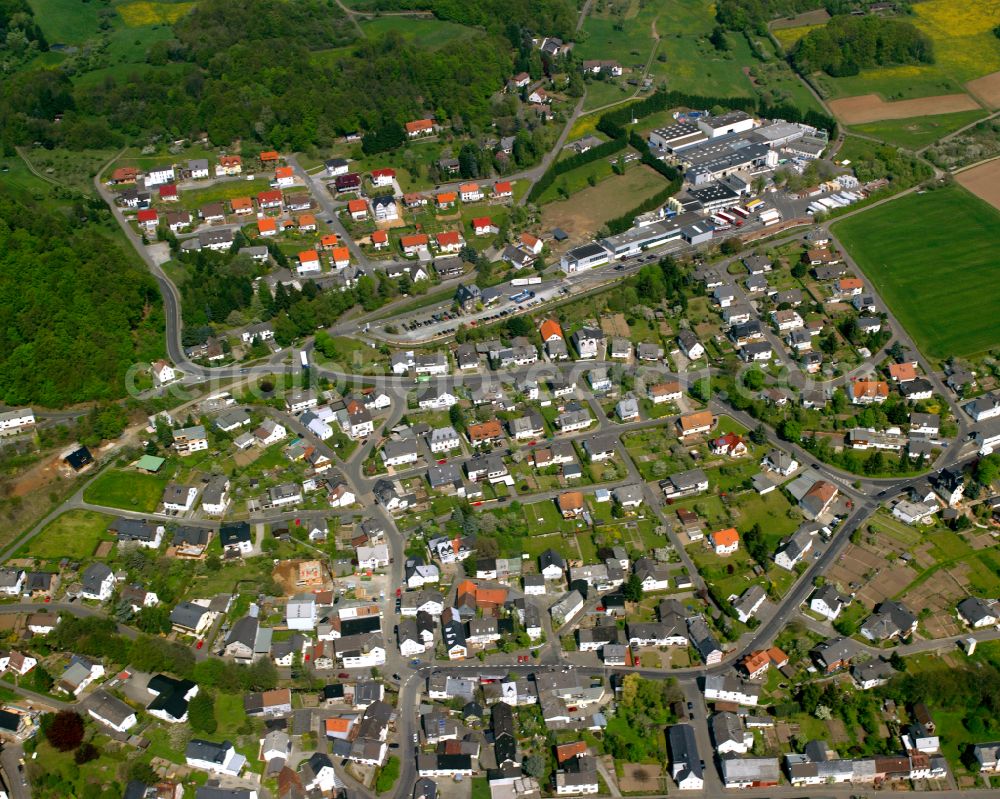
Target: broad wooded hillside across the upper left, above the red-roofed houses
260, 79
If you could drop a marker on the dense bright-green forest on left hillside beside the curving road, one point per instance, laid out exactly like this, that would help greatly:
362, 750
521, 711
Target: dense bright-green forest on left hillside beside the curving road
78, 310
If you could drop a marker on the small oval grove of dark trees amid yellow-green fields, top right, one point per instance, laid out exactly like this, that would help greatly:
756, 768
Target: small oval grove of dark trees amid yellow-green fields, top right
848, 44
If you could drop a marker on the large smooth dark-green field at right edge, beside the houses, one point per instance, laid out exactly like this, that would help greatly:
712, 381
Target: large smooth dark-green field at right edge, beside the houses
939, 279
